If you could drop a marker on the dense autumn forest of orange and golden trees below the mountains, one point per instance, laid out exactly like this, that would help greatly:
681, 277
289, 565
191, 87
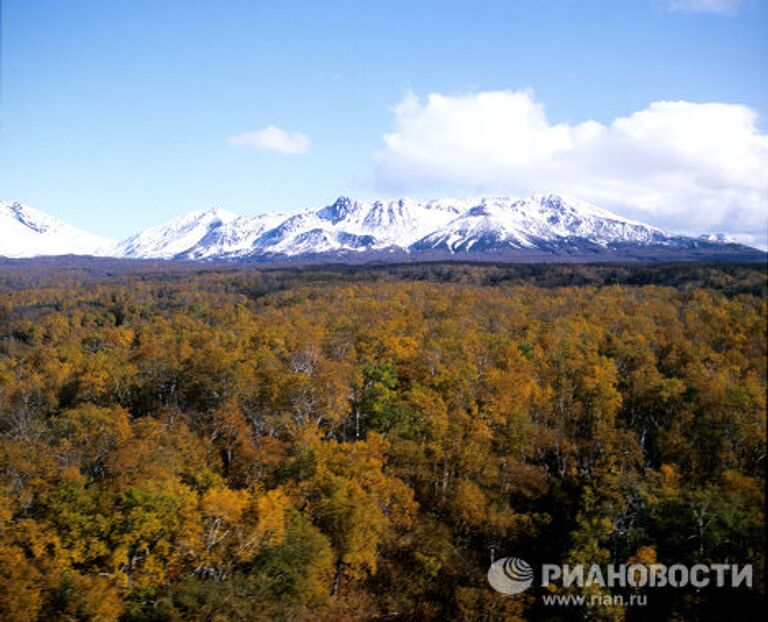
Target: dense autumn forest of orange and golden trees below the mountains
359, 443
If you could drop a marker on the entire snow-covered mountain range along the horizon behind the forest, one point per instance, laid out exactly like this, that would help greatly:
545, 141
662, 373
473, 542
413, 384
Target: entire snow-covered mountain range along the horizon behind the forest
538, 228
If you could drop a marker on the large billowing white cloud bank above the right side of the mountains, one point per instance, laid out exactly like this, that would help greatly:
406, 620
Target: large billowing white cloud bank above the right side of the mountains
685, 166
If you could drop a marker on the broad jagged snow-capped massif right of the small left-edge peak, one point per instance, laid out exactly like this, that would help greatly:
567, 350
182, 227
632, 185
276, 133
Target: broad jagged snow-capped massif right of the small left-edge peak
542, 223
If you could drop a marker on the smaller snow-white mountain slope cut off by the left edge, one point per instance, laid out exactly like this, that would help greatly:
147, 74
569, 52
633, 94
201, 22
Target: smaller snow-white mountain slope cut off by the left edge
27, 232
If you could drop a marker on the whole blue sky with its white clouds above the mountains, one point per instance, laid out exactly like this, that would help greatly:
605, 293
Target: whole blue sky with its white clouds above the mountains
120, 115
